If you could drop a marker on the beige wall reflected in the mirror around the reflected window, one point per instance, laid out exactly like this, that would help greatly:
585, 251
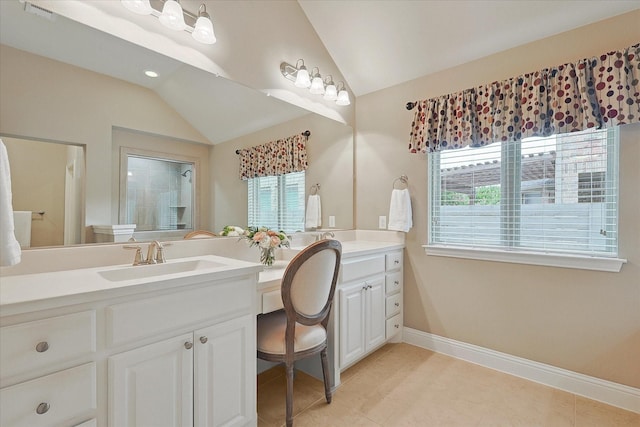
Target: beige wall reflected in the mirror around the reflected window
330, 158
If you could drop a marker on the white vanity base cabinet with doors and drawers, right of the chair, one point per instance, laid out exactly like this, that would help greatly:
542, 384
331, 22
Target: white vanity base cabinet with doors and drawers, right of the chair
369, 301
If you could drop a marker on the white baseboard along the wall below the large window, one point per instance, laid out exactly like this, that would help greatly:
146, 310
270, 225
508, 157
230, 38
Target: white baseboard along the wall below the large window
608, 392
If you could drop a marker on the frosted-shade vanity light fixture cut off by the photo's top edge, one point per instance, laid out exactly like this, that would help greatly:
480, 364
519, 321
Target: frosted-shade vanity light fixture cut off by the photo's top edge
173, 16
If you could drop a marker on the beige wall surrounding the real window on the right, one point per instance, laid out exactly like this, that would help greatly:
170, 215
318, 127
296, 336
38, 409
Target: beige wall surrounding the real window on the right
584, 321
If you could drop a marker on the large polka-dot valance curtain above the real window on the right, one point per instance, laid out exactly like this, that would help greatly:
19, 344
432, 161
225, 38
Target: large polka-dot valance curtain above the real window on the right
599, 92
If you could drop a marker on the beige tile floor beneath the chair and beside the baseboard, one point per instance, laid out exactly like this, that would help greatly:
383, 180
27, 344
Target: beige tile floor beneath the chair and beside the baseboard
403, 385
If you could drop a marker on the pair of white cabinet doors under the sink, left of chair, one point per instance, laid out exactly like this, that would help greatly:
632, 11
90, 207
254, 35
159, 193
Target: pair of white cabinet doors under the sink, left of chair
199, 378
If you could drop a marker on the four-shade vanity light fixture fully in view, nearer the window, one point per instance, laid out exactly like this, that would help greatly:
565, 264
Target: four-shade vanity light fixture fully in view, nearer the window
300, 76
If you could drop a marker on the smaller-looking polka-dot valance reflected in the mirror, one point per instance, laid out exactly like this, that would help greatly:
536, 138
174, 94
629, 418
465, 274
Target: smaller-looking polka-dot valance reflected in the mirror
274, 158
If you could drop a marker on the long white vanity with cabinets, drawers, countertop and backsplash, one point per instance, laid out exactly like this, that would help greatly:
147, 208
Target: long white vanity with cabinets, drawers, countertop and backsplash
169, 344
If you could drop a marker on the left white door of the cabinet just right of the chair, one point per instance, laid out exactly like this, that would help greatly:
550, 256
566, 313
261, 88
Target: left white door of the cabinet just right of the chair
352, 334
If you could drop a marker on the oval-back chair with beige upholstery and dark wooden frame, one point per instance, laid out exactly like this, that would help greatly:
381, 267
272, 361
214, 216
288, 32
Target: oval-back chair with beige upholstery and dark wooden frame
300, 329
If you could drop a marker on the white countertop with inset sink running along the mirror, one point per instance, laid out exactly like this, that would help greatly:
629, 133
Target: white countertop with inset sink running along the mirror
57, 288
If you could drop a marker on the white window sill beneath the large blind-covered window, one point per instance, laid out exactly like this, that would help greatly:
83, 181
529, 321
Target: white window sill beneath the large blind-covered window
613, 265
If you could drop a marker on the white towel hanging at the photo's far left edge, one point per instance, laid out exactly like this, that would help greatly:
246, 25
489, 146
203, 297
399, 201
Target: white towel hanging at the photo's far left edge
10, 253
